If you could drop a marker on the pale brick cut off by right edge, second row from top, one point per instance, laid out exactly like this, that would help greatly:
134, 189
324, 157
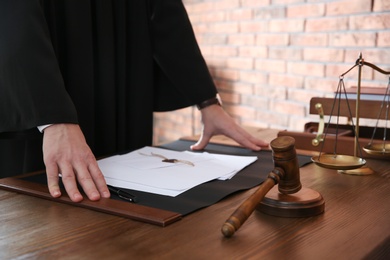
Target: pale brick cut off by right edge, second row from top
370, 22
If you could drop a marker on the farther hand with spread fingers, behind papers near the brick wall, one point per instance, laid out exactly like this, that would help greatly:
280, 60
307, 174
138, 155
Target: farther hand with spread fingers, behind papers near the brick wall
216, 121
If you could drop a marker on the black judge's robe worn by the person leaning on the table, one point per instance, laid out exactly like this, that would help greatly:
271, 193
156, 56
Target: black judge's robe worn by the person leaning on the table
104, 64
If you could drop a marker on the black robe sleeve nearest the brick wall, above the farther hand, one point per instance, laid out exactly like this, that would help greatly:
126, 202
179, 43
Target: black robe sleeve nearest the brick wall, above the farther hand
181, 74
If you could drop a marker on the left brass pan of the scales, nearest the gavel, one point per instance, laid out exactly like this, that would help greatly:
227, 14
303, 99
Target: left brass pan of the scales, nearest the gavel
338, 162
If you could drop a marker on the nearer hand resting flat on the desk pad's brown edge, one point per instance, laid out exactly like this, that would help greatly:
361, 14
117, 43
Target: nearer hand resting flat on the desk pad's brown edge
65, 151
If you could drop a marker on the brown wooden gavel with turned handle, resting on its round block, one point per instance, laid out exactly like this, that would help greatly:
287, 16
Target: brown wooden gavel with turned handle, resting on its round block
285, 173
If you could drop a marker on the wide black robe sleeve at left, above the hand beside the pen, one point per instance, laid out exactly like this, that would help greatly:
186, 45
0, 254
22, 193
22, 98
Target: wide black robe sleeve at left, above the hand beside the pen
32, 90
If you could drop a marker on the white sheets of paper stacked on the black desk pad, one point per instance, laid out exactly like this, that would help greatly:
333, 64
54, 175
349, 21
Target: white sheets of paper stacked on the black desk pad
147, 170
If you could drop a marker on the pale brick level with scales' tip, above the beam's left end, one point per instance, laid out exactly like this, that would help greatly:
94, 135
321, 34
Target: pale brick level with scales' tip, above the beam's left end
323, 54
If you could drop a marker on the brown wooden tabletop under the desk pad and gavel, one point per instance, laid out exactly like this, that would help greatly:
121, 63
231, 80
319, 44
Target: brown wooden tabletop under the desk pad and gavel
355, 225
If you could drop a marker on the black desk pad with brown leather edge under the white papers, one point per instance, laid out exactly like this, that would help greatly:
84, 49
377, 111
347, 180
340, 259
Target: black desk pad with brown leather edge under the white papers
157, 209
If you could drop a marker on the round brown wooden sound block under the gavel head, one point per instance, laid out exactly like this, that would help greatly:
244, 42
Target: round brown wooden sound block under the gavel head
304, 203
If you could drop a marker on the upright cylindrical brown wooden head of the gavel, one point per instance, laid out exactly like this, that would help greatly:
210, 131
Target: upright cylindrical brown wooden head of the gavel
285, 158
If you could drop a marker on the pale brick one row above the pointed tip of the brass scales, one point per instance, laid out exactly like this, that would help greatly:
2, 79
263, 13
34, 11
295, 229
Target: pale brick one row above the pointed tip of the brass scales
352, 39
